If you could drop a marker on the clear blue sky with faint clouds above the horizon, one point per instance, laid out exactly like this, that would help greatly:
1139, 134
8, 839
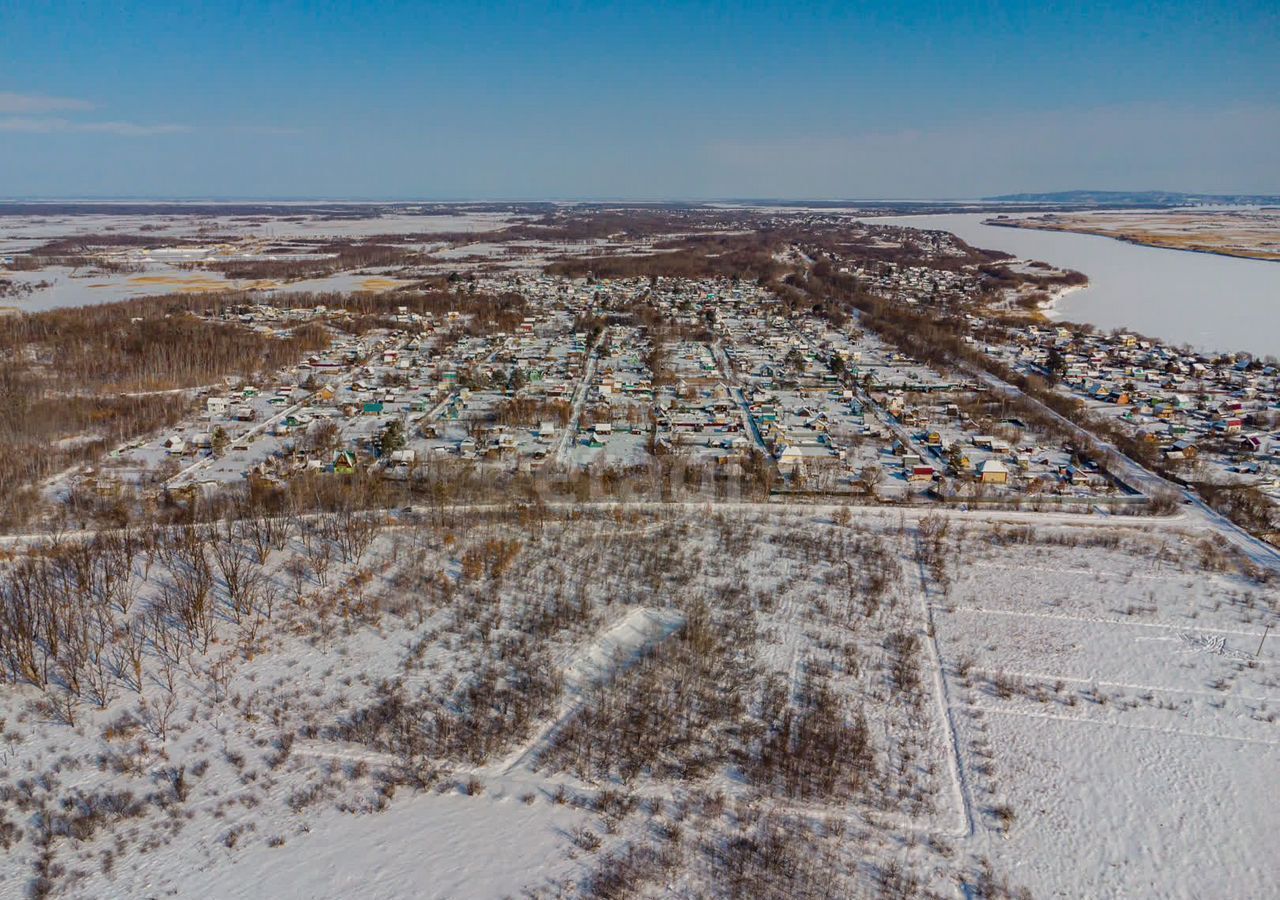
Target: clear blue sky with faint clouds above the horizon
669, 100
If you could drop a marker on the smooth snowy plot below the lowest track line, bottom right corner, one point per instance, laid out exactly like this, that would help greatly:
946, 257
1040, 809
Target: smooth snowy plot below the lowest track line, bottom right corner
1103, 811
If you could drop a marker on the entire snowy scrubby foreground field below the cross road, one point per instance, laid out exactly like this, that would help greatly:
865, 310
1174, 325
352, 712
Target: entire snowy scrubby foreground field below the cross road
776, 701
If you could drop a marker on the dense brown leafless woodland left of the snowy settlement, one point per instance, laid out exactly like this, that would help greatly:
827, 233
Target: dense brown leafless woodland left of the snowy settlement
76, 383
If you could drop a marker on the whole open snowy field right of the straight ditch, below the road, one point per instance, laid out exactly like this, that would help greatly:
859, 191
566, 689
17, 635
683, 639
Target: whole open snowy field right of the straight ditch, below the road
1113, 721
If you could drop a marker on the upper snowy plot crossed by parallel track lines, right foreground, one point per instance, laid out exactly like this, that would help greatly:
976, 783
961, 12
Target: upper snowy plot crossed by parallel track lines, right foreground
1128, 629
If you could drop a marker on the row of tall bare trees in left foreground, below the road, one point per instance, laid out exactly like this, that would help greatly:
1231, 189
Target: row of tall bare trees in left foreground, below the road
80, 618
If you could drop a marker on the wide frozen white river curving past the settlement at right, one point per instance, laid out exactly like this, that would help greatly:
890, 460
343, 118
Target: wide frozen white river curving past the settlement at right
1210, 303
